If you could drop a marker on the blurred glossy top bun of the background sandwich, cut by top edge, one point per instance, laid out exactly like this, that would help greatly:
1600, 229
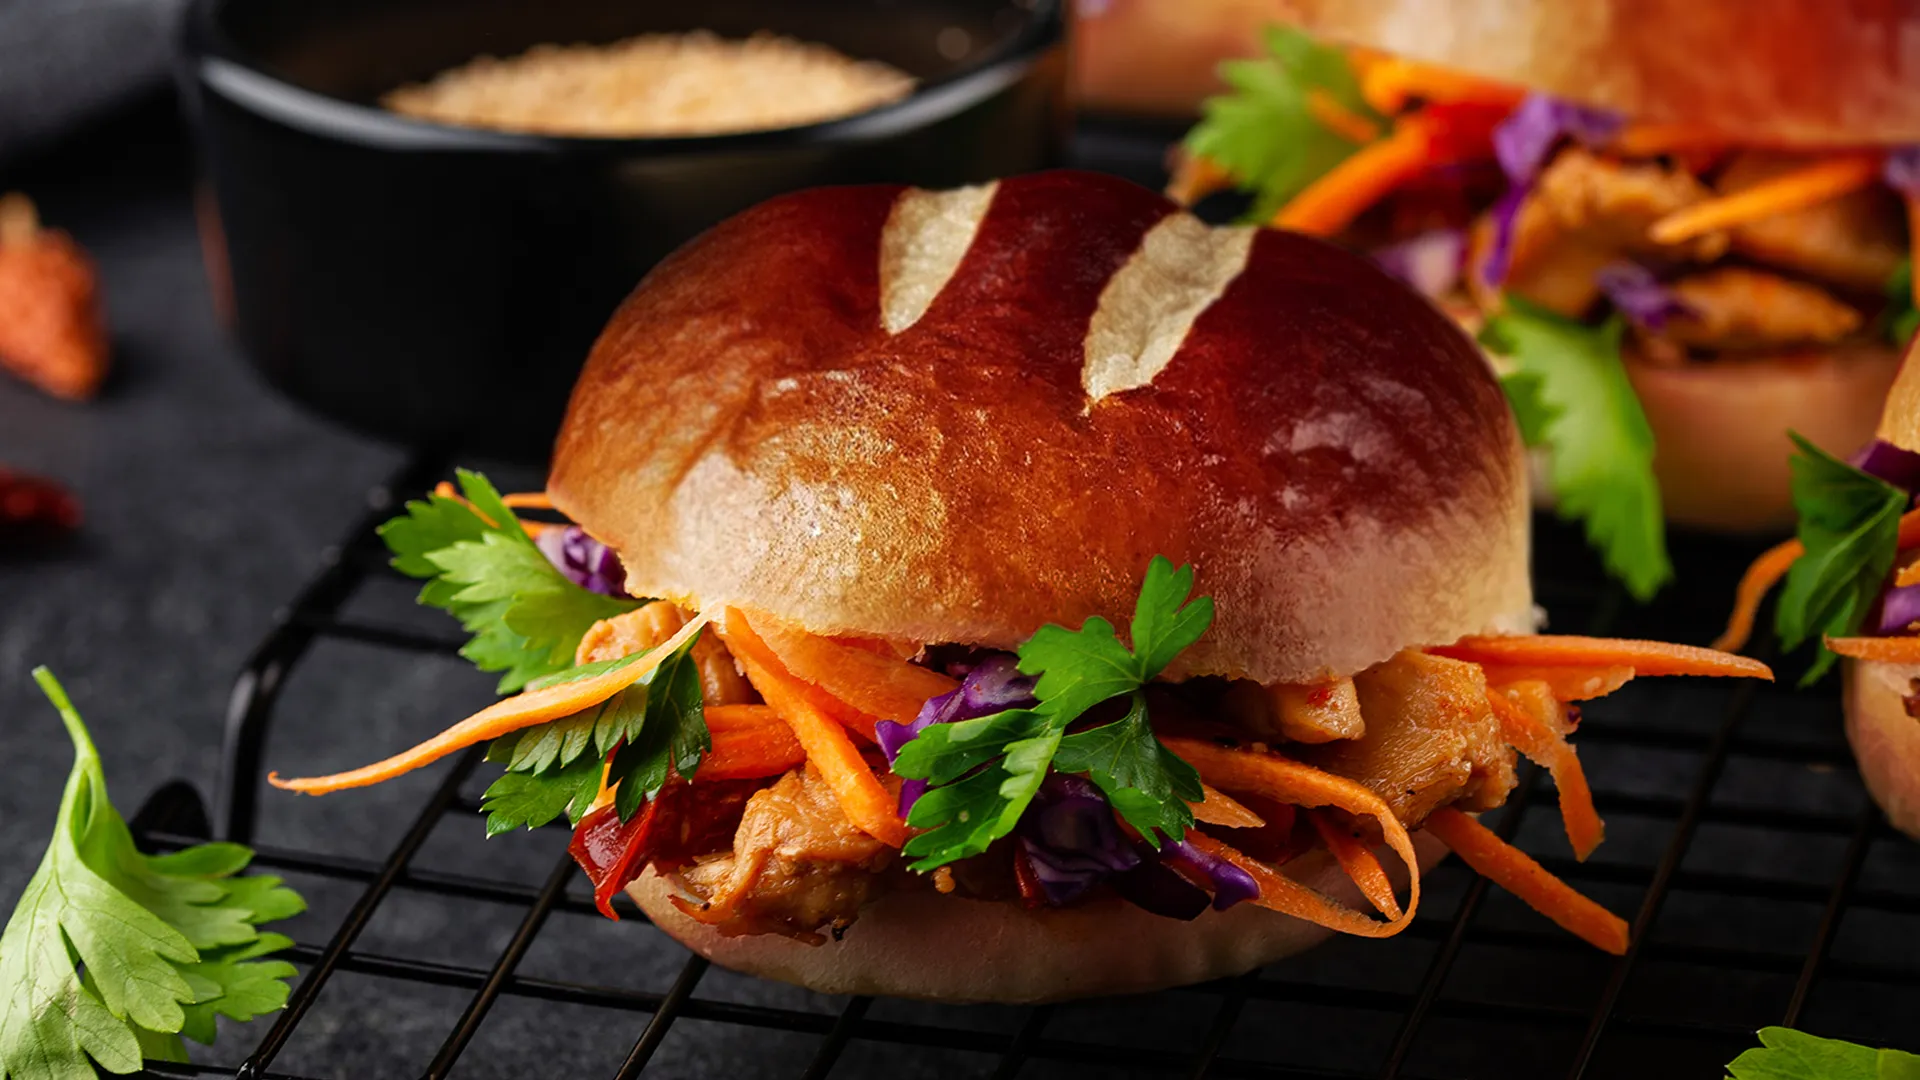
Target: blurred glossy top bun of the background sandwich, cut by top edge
1796, 72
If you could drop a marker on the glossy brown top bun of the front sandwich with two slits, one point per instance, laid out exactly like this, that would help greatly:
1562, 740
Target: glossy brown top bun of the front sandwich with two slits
961, 416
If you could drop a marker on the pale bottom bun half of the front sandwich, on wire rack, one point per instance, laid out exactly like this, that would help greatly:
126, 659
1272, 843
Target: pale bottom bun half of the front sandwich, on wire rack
944, 948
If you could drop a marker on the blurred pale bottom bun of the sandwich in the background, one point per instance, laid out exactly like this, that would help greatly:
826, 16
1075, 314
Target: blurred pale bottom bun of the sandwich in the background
1721, 428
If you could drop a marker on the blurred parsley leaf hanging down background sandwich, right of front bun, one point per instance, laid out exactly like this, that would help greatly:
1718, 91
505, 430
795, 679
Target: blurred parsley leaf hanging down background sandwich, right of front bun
1570, 393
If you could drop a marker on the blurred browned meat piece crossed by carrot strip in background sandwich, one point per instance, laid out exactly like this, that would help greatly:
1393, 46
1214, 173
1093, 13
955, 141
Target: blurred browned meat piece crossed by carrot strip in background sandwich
1852, 241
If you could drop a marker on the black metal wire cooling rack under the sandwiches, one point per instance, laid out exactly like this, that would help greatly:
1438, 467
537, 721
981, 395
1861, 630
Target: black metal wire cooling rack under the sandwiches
174, 818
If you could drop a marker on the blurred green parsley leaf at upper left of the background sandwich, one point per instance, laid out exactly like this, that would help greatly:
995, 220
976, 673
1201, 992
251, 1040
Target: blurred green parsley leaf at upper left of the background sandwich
1264, 134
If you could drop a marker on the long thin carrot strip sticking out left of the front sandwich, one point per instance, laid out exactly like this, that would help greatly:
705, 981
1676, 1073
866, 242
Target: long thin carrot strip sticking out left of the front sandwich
500, 718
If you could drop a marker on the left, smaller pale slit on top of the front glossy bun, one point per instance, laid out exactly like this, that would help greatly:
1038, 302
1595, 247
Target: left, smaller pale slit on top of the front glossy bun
926, 237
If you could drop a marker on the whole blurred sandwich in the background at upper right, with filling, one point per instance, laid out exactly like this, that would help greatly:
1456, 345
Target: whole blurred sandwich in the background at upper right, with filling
1677, 237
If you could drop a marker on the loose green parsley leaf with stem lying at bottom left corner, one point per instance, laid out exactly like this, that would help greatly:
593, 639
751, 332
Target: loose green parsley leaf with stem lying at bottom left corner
166, 941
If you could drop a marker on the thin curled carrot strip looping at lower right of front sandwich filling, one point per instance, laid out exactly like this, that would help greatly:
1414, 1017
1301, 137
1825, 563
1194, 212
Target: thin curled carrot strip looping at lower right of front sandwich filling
1301, 785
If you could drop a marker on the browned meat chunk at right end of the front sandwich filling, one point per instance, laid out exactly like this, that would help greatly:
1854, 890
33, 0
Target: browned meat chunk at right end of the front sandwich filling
1431, 739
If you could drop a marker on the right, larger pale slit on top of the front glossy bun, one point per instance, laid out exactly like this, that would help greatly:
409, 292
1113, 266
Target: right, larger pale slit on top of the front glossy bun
1180, 270
